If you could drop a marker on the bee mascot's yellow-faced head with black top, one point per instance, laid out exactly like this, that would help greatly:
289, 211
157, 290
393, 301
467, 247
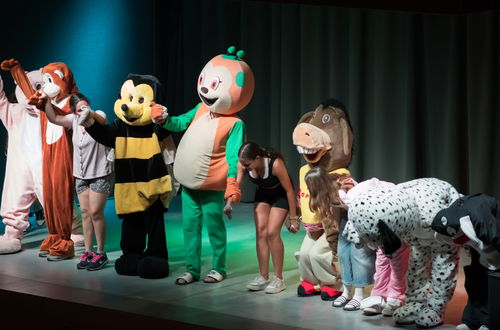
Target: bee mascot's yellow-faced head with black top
136, 95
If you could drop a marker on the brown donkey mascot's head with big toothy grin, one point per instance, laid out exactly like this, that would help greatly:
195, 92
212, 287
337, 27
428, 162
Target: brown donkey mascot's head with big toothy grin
324, 136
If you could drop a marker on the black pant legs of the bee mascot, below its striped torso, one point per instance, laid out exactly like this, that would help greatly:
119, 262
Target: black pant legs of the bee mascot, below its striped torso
139, 226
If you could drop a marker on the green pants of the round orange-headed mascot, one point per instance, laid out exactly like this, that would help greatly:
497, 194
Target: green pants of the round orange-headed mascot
200, 206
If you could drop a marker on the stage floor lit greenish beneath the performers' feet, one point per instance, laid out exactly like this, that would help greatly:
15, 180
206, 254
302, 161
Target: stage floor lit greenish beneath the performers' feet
225, 305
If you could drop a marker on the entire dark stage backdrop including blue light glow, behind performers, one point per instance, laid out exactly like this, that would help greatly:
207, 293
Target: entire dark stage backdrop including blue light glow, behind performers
420, 80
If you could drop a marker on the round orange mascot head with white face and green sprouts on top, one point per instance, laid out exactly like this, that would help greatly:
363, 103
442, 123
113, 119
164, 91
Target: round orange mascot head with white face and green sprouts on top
226, 83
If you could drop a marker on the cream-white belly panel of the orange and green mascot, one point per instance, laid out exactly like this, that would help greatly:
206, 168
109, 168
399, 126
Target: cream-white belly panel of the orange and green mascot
194, 152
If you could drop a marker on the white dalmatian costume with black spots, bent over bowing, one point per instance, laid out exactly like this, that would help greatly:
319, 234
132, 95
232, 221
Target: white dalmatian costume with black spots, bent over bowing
382, 216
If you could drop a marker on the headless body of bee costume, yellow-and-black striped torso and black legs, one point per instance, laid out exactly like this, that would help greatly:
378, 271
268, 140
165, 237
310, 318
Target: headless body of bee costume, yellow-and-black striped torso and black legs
142, 184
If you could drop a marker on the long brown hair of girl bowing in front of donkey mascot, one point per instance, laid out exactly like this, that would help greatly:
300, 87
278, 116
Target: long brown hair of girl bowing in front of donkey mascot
324, 198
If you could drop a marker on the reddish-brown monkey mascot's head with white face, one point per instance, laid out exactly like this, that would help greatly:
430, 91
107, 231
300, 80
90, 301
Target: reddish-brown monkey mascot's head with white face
58, 81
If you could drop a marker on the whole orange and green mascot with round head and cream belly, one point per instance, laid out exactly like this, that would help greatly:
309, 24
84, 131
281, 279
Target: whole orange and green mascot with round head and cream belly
207, 157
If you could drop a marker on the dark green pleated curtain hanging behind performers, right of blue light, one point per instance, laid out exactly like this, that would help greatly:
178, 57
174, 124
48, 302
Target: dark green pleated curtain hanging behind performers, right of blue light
422, 90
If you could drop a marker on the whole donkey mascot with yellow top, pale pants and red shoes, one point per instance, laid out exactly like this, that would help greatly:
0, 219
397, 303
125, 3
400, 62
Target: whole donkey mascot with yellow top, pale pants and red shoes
324, 137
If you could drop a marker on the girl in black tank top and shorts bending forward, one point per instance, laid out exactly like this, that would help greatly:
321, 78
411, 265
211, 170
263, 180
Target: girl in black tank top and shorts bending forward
274, 200
